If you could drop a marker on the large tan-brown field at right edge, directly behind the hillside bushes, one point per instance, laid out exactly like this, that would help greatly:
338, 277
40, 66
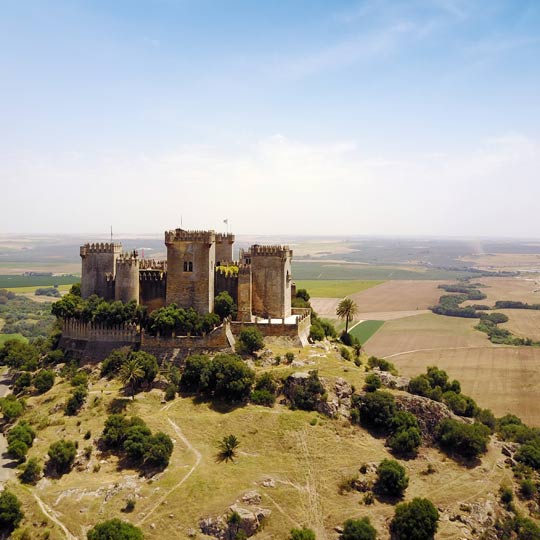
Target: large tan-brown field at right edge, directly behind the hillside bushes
505, 379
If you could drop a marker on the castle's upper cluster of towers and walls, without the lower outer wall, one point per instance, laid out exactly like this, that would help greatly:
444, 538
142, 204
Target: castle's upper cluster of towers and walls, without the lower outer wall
199, 266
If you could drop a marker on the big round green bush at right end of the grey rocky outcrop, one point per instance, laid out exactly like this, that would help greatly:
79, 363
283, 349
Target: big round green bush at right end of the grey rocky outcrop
467, 440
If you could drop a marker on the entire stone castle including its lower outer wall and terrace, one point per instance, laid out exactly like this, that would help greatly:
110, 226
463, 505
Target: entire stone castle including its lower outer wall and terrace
199, 266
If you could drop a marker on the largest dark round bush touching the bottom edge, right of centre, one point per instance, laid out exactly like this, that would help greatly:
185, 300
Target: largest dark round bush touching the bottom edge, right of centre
417, 520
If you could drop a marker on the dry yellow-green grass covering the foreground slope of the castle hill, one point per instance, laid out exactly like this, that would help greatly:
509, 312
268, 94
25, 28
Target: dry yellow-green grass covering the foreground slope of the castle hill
295, 449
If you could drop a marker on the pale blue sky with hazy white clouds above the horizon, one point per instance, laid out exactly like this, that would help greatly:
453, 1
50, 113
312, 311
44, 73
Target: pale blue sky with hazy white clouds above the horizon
311, 117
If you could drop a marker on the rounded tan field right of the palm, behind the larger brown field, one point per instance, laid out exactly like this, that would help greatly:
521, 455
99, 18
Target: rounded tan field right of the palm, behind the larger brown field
427, 331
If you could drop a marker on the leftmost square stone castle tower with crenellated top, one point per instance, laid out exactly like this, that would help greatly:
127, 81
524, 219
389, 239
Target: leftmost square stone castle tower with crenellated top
98, 262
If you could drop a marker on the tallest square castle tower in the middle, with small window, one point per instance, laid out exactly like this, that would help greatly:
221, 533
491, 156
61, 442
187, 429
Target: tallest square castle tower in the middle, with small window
191, 260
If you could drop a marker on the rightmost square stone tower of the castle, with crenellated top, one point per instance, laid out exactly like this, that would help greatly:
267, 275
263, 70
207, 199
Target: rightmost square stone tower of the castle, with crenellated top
271, 278
